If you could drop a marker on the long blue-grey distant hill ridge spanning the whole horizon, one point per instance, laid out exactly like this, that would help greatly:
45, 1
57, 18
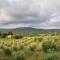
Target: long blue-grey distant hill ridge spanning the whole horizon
30, 30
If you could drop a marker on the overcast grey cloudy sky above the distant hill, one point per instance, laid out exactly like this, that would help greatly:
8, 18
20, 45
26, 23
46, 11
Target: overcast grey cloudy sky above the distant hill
43, 14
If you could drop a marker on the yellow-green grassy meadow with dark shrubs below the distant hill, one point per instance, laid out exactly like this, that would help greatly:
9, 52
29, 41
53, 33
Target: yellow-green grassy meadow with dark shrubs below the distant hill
38, 47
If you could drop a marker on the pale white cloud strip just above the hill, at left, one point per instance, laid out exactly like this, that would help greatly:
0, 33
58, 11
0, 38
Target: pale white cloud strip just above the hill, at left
12, 26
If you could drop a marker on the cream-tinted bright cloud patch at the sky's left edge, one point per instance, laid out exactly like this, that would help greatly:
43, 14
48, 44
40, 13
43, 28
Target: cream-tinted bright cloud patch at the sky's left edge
4, 16
